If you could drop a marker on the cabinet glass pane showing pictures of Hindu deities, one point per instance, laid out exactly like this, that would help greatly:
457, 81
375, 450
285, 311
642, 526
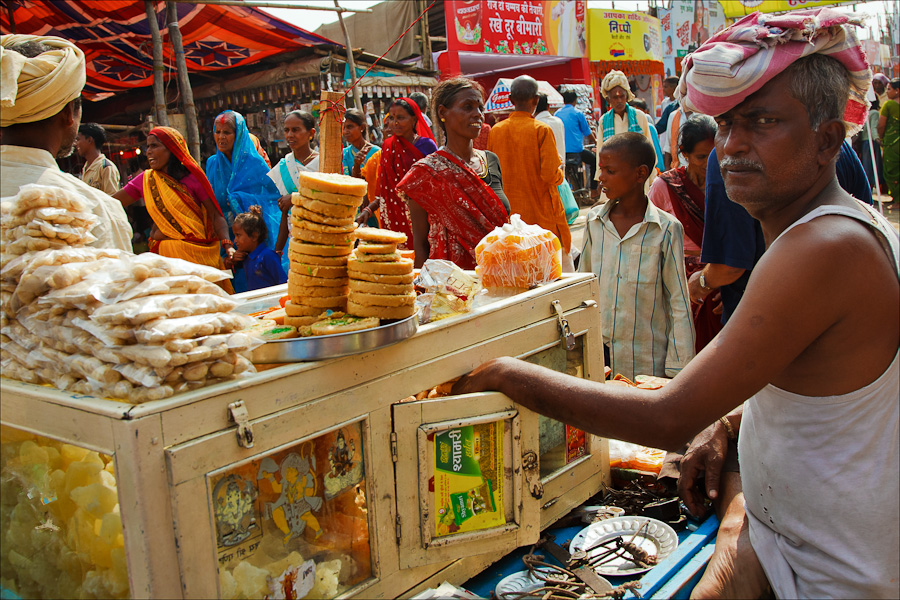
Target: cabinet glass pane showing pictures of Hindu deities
294, 523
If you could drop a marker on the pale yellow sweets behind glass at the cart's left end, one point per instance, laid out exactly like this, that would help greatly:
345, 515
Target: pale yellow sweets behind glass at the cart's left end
60, 528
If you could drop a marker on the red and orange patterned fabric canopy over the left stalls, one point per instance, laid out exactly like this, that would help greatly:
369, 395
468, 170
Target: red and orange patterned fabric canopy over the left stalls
115, 37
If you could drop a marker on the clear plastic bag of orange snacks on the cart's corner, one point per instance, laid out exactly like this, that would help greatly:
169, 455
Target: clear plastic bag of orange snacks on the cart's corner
518, 255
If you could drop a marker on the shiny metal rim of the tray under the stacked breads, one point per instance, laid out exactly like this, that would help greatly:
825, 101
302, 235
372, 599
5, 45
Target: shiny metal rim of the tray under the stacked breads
321, 347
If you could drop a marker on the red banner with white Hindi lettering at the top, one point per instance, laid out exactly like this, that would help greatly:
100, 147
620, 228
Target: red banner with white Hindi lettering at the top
516, 26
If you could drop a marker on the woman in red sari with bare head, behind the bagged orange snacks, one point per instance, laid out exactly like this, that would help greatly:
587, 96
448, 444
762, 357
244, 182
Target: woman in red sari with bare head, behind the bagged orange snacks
455, 195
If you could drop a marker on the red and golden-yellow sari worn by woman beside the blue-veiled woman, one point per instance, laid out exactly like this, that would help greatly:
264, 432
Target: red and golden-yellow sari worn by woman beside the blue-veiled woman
178, 215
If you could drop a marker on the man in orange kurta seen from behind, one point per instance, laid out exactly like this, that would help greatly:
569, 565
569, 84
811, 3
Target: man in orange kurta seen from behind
531, 166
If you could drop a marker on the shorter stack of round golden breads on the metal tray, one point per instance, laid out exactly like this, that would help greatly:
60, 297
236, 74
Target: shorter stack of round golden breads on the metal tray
381, 281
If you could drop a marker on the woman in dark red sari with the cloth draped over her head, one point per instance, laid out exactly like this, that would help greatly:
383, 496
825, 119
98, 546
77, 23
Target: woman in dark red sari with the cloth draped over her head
411, 140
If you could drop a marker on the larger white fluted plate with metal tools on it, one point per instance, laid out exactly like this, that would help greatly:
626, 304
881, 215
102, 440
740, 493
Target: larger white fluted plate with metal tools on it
656, 538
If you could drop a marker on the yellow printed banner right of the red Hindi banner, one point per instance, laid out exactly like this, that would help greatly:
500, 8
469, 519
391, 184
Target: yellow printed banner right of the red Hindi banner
623, 36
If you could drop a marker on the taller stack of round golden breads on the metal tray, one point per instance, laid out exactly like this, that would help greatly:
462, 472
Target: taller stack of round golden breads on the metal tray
322, 226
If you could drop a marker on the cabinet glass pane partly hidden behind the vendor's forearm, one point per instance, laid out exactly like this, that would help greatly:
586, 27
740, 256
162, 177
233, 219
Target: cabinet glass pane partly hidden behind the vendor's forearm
560, 444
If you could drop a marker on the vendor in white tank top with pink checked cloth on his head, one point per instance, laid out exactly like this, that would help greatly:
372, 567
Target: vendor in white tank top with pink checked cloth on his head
817, 361
